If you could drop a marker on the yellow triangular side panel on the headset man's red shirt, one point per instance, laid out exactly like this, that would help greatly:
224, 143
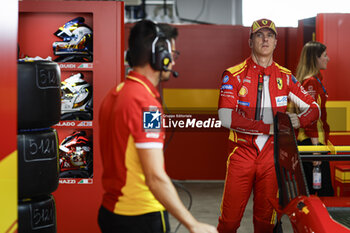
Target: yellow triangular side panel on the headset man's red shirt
137, 198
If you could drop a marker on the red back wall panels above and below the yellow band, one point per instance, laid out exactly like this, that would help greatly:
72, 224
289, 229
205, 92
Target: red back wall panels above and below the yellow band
205, 52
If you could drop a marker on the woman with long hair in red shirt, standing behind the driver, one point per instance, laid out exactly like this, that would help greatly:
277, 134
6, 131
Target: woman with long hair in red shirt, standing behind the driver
314, 58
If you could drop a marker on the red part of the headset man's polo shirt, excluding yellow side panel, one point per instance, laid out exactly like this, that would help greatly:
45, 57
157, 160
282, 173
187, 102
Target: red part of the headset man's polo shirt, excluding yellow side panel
121, 116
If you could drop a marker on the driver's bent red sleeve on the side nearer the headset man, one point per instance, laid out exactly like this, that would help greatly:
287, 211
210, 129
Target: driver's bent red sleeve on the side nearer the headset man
230, 115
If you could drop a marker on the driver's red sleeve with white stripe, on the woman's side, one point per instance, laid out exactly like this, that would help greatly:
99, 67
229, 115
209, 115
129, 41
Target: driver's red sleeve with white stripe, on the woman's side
310, 111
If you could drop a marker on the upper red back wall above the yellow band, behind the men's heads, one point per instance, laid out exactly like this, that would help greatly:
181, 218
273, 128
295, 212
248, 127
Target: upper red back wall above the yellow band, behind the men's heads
207, 50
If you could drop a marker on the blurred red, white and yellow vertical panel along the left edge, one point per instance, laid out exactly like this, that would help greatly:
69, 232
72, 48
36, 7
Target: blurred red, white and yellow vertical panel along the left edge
8, 117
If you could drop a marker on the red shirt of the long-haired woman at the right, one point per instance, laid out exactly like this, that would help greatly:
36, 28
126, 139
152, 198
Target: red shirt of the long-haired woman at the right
315, 89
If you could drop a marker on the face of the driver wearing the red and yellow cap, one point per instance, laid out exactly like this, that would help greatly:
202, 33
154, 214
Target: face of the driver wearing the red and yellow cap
263, 42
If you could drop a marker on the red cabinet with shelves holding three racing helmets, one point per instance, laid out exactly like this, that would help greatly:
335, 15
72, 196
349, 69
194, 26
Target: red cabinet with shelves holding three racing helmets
78, 200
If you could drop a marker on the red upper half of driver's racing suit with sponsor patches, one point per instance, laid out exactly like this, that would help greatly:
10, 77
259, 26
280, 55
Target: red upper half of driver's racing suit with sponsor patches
246, 76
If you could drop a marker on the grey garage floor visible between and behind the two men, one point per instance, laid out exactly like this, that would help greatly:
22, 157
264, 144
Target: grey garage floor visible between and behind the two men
206, 200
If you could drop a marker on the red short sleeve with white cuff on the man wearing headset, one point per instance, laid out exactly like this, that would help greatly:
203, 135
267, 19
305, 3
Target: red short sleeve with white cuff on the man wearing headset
145, 119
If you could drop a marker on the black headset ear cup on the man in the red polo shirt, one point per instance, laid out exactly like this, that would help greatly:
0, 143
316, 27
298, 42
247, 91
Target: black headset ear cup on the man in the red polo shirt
161, 54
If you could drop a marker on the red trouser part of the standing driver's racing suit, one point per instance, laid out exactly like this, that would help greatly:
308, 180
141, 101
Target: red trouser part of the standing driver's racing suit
247, 171
